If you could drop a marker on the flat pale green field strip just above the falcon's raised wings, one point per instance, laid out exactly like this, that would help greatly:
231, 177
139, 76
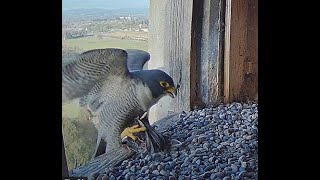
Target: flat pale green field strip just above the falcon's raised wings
88, 43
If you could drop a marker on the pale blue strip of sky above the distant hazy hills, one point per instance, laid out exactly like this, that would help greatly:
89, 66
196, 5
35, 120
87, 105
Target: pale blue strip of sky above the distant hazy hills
106, 4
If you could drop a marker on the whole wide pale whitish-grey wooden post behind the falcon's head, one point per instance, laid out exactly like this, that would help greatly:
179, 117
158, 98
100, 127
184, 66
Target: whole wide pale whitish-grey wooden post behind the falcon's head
170, 46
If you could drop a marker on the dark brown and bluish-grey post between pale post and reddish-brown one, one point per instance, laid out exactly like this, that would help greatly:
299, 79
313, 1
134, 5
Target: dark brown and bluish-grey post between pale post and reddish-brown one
207, 52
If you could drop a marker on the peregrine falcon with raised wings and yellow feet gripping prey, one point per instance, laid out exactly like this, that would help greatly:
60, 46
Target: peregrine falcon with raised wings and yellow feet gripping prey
113, 86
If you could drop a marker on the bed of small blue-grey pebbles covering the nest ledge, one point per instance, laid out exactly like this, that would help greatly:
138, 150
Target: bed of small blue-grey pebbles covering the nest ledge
216, 143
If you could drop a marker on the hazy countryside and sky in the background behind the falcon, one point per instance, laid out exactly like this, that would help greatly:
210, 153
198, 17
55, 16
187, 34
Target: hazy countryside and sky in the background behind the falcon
91, 28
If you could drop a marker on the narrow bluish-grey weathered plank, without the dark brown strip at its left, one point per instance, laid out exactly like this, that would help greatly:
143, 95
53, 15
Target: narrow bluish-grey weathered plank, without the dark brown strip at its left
211, 52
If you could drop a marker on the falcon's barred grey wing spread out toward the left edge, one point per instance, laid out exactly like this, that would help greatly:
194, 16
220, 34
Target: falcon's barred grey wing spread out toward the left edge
91, 68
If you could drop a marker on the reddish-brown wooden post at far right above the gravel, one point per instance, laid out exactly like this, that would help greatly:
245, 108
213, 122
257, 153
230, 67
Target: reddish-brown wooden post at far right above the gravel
241, 51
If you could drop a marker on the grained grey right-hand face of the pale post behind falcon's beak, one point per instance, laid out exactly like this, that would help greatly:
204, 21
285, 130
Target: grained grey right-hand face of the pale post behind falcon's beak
177, 50
